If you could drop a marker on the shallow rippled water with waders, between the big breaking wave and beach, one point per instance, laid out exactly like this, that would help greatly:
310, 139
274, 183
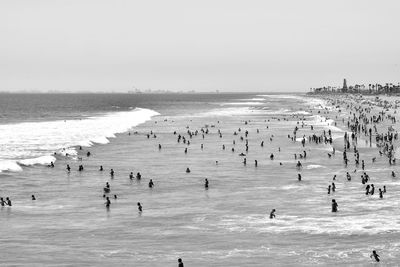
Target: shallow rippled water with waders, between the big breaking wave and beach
226, 225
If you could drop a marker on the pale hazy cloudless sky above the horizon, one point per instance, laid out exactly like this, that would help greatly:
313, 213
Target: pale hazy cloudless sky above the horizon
202, 45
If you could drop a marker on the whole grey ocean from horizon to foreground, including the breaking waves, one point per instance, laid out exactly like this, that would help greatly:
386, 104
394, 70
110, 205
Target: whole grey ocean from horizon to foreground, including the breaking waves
227, 224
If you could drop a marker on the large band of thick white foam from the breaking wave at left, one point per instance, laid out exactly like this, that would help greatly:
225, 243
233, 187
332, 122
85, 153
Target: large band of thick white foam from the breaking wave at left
31, 143
